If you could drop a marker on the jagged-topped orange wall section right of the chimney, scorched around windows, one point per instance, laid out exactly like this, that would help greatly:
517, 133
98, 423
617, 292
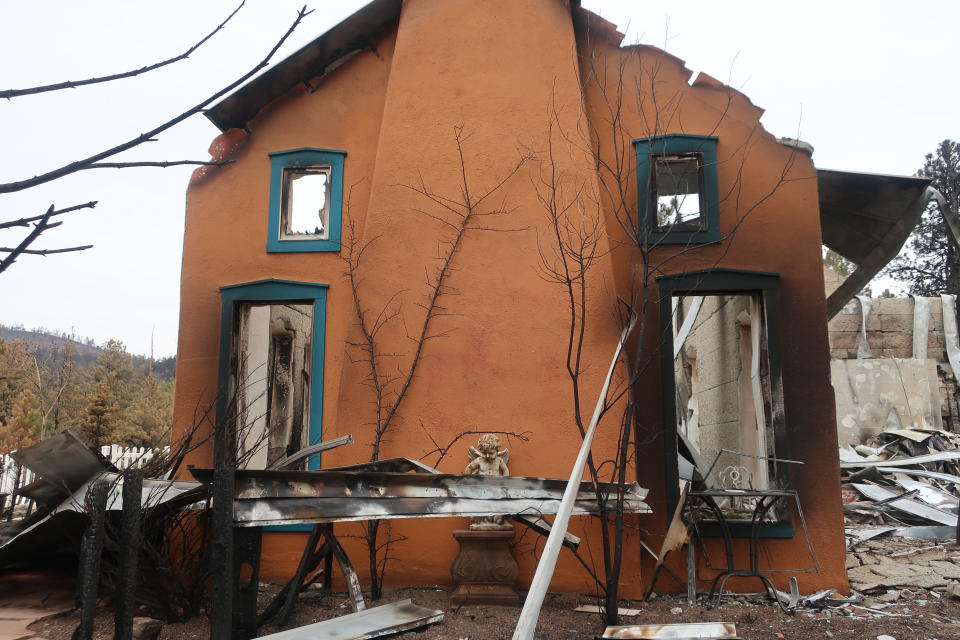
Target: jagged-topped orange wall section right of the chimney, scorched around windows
767, 225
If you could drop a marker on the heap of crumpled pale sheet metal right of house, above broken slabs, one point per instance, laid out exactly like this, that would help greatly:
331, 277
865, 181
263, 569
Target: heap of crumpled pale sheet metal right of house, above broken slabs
904, 482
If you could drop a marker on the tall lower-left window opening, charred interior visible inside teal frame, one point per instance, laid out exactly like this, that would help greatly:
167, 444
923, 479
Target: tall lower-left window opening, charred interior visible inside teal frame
270, 381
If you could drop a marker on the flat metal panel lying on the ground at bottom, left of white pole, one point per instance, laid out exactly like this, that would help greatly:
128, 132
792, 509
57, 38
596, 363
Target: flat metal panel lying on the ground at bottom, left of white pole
370, 623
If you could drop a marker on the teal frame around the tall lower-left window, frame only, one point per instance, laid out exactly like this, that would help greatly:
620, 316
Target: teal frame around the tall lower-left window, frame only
267, 292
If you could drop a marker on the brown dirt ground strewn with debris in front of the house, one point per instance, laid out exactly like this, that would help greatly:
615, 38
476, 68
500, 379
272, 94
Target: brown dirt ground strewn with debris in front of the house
915, 614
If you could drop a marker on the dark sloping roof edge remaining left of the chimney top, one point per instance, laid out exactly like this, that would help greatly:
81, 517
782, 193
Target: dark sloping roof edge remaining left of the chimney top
357, 32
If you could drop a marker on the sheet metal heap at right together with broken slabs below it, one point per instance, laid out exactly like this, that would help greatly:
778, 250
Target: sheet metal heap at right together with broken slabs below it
901, 493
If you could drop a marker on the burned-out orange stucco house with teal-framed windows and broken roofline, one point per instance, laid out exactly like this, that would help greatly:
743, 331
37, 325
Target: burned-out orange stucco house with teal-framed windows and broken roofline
399, 195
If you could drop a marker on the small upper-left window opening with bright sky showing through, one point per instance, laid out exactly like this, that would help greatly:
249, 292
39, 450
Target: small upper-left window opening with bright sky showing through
305, 214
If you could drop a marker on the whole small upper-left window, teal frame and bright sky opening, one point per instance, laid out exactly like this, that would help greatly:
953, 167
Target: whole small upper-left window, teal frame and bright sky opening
306, 198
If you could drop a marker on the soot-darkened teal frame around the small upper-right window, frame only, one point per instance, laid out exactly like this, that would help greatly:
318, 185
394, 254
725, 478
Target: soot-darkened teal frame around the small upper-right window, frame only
705, 148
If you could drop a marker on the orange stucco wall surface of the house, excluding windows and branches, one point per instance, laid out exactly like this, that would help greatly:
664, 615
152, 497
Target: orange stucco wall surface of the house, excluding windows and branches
497, 69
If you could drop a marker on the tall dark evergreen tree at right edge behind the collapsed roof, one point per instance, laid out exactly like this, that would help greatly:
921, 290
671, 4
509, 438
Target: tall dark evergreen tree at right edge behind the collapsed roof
930, 261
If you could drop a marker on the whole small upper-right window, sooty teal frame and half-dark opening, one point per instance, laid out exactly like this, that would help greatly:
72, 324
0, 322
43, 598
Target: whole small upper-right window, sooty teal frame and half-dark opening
677, 189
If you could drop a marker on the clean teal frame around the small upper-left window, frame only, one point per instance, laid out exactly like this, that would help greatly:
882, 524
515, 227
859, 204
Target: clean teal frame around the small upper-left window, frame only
297, 159
